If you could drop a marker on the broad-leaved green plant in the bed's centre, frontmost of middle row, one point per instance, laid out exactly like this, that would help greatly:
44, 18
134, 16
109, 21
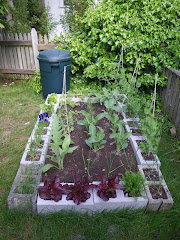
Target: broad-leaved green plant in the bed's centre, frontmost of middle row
96, 138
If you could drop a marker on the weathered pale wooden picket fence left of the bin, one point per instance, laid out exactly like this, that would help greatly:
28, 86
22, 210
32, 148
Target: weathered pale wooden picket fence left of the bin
18, 53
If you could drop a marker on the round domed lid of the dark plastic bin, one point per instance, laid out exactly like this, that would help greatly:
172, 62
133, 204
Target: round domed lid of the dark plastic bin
54, 55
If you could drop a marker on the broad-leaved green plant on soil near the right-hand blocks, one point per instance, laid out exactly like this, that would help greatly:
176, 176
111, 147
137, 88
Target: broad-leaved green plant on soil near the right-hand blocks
120, 138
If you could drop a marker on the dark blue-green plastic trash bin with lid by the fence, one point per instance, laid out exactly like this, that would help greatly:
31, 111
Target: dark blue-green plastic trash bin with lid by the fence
52, 63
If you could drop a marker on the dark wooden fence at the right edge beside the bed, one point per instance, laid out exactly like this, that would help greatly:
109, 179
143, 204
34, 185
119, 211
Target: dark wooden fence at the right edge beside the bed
171, 96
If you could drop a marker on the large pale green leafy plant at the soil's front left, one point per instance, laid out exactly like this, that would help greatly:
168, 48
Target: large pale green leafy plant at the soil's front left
60, 153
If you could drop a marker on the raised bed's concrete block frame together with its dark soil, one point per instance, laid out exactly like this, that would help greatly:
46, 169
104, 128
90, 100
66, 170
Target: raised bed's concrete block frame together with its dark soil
100, 162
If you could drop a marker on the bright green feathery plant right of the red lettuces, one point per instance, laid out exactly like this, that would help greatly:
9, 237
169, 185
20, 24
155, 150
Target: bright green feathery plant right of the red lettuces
133, 183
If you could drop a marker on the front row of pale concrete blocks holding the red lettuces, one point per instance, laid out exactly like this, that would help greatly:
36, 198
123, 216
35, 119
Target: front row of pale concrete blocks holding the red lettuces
93, 204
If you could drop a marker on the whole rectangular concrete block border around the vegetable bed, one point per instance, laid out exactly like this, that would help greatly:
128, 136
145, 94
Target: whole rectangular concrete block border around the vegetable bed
32, 203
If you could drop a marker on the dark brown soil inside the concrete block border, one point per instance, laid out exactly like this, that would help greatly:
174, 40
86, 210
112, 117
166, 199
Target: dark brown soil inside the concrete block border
121, 162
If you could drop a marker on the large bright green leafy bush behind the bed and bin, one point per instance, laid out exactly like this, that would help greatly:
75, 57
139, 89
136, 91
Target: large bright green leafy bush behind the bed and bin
149, 29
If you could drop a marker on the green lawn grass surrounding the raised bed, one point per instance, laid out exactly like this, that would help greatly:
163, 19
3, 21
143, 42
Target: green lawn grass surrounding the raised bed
18, 113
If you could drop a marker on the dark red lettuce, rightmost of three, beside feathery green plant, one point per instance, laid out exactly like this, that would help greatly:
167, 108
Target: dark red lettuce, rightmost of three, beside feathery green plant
107, 188
